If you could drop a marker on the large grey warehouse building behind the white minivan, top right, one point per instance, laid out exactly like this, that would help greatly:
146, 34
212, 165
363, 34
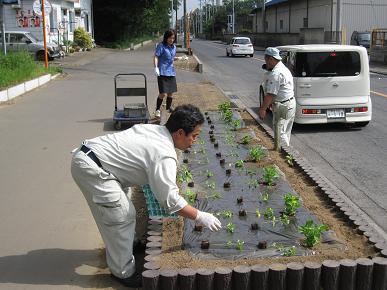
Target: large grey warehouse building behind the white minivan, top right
324, 17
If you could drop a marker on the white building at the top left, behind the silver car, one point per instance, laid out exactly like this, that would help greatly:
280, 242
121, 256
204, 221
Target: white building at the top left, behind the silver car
65, 16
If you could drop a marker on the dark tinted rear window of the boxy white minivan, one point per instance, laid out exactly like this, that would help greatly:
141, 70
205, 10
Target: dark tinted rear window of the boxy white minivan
327, 64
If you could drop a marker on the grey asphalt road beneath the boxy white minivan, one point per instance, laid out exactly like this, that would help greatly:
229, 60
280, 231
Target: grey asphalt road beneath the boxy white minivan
353, 159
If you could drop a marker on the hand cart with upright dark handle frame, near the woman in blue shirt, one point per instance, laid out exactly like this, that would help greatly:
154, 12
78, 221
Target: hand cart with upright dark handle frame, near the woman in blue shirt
132, 113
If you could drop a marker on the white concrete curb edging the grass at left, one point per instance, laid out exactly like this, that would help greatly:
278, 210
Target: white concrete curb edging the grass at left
20, 89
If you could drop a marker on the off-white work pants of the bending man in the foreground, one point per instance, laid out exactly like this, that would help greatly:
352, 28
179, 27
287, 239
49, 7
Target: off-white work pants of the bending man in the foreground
112, 210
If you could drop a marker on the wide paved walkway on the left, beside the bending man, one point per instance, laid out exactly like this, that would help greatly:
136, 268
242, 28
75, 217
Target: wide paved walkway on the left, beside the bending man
48, 239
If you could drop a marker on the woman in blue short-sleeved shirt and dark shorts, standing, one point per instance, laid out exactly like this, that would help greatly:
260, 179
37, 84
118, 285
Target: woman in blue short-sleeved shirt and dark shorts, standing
164, 56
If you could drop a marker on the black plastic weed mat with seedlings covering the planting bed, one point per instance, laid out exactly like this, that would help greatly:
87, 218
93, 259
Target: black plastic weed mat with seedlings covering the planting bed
227, 195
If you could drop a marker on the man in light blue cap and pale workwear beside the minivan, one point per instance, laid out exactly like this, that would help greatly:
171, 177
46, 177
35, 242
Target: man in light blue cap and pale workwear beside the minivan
279, 92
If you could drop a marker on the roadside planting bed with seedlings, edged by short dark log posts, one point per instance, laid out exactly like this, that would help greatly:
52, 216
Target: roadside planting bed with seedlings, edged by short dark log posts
259, 260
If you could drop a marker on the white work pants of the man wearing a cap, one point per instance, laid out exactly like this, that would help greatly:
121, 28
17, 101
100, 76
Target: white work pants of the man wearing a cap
285, 120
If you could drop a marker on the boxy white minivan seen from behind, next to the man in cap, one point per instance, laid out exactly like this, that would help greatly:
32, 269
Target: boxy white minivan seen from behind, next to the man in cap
331, 83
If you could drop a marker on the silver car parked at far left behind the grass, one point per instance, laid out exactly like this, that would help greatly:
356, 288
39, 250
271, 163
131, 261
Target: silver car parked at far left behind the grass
24, 40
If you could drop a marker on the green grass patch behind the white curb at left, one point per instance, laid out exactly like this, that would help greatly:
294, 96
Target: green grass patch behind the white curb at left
18, 67
